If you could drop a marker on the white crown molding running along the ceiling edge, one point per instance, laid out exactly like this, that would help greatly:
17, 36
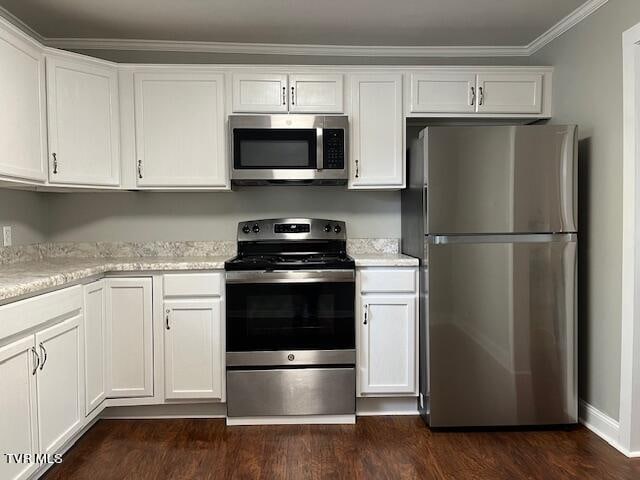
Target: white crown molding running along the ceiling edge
554, 32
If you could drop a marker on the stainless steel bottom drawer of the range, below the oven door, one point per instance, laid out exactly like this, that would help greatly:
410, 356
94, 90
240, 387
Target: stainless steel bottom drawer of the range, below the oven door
291, 391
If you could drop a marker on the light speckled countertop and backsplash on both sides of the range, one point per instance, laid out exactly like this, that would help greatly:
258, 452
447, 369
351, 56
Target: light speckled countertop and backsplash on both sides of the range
34, 269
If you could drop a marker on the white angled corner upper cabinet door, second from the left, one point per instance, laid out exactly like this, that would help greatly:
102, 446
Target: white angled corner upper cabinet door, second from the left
83, 122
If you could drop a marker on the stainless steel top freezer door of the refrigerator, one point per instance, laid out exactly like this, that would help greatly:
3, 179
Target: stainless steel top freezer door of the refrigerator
487, 180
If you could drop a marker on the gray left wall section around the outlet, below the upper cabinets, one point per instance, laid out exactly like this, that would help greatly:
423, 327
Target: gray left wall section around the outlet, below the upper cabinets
26, 212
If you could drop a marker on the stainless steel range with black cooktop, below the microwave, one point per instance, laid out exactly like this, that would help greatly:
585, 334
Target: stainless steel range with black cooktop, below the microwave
290, 320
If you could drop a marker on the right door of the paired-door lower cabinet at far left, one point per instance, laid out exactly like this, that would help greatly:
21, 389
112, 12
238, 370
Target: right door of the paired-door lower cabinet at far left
60, 384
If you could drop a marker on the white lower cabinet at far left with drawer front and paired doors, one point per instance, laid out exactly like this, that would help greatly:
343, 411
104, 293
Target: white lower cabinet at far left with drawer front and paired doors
41, 380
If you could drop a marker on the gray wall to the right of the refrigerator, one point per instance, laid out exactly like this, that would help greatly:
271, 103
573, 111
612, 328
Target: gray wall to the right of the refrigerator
588, 91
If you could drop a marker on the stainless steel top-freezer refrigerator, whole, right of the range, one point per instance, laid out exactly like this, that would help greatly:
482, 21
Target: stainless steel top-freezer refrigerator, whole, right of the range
491, 213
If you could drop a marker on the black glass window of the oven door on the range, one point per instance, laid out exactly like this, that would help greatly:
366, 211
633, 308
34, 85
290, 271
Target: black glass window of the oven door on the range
303, 316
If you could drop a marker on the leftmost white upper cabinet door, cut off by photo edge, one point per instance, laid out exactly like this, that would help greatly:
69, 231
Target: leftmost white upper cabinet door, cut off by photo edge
22, 115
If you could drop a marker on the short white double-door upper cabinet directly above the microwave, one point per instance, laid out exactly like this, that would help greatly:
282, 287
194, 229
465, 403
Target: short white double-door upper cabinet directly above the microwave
281, 93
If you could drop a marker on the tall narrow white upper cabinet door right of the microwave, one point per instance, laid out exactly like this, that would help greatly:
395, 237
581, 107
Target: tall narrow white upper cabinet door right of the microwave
377, 126
